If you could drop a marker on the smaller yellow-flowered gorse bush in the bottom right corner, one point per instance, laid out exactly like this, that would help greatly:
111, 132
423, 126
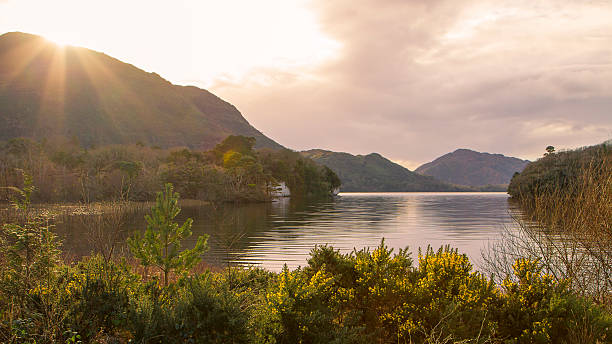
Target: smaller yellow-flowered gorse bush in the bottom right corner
537, 309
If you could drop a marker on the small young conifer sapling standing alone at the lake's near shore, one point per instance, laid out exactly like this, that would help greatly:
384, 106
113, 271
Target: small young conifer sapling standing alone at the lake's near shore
160, 246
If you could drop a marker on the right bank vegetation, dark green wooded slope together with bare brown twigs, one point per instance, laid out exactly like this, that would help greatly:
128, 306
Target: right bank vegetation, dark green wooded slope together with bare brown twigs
565, 222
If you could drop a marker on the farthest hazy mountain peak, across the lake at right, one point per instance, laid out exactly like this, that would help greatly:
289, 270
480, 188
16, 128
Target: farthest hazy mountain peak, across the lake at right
467, 167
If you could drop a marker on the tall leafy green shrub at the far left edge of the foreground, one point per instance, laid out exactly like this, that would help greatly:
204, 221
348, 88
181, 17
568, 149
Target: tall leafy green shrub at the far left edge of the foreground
29, 256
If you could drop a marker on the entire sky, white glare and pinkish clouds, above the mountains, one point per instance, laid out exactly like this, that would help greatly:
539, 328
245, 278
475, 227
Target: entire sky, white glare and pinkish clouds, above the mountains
409, 79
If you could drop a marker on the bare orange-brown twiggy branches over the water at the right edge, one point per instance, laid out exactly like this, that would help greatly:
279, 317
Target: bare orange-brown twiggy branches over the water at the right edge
568, 230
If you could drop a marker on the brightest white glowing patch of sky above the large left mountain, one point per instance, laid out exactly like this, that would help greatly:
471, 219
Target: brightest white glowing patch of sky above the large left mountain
227, 40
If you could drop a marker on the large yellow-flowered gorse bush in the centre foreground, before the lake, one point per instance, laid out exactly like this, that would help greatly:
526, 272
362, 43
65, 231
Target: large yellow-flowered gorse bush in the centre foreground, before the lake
378, 296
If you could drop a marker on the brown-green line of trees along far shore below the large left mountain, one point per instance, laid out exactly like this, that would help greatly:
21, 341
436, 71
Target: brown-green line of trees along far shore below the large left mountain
233, 171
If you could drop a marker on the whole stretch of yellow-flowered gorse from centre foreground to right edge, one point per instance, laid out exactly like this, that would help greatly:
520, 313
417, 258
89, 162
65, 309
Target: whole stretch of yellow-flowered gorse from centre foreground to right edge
380, 297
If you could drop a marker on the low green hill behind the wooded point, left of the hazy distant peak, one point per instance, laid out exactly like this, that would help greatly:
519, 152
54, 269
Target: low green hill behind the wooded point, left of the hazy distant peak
374, 173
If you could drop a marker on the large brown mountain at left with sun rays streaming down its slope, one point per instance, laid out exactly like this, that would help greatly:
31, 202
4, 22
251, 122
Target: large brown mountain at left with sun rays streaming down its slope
49, 91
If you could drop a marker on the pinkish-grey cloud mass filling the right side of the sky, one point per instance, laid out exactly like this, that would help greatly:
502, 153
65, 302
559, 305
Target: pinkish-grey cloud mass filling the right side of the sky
417, 79
